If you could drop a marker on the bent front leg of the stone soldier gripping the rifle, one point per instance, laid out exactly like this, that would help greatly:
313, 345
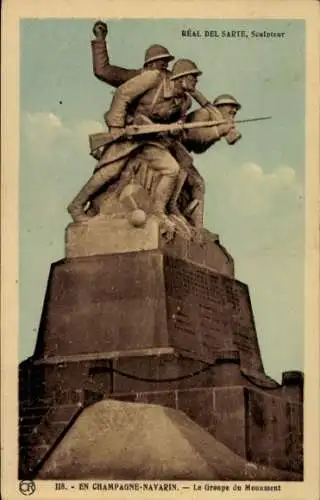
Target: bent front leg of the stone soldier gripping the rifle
162, 161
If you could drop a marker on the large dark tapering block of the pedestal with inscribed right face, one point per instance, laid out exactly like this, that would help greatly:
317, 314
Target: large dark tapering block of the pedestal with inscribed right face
145, 300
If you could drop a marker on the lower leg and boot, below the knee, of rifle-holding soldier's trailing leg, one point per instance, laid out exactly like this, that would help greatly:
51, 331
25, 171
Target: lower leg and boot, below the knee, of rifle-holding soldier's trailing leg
77, 207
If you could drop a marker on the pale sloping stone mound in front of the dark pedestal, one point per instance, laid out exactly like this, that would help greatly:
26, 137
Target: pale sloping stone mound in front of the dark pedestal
132, 441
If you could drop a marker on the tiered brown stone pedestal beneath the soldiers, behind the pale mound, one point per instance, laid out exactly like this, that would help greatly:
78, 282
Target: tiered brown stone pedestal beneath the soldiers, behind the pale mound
144, 320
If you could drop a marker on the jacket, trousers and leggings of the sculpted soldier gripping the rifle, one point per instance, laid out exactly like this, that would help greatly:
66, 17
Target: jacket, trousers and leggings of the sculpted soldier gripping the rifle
151, 95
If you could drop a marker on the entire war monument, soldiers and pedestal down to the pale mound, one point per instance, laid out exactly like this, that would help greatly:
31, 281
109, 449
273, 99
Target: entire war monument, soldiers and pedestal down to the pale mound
147, 363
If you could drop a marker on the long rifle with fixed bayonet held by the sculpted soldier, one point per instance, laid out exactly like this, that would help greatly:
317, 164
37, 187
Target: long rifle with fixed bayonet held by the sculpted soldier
101, 139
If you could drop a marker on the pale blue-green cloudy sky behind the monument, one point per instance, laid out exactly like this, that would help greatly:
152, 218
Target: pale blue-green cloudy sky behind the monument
254, 189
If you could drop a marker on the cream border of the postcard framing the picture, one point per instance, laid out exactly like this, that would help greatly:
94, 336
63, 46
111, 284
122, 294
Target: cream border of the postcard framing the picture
13, 11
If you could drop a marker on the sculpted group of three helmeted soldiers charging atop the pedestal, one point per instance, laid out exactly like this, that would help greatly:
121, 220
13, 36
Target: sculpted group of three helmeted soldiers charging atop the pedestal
153, 169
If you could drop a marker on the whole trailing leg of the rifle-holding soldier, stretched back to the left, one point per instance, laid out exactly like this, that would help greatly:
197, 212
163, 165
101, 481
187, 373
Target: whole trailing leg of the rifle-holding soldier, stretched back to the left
106, 173
